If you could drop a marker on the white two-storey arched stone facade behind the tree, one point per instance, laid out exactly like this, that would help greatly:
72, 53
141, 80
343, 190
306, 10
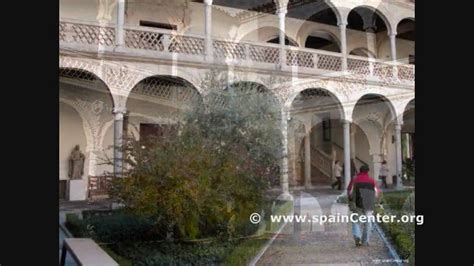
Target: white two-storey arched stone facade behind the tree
103, 40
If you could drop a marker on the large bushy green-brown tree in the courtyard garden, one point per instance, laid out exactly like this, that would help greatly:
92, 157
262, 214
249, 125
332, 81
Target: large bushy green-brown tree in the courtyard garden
206, 175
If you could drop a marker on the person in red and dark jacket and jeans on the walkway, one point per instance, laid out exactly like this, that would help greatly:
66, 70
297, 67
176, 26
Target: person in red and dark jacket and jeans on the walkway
362, 193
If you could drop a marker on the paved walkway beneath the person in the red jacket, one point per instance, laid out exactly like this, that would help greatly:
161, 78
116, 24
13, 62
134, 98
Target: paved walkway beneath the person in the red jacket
330, 244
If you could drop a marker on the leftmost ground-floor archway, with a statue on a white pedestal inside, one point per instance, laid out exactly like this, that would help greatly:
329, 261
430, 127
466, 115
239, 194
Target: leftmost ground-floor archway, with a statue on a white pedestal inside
85, 108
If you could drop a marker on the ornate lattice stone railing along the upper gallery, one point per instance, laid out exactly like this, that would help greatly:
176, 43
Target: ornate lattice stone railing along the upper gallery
166, 41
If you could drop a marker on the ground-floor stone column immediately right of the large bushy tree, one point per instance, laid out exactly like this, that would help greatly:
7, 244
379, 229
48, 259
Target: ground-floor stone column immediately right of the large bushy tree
284, 163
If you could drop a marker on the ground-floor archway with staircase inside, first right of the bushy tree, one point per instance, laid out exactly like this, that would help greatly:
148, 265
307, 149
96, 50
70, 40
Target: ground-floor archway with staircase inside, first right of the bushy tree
314, 137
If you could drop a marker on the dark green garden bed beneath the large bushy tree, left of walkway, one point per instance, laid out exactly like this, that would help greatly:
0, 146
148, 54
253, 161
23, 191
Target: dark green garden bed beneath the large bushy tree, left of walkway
134, 241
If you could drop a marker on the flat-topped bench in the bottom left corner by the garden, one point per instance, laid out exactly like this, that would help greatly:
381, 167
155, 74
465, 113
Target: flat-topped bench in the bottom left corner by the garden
85, 252
